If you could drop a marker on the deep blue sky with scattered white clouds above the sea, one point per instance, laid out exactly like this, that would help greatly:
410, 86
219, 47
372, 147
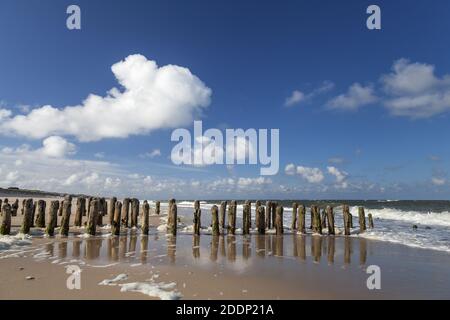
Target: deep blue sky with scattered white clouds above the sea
370, 118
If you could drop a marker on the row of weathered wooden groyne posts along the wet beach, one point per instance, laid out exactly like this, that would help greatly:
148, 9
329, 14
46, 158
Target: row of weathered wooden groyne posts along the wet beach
120, 215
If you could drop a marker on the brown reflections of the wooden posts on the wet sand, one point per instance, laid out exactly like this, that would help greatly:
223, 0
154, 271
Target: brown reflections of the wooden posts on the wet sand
126, 248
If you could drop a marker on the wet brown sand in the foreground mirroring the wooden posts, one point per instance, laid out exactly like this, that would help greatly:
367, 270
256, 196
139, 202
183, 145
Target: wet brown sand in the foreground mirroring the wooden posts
224, 267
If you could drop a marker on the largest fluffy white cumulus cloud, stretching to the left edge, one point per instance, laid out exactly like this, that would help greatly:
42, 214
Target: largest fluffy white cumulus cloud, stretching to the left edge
152, 97
